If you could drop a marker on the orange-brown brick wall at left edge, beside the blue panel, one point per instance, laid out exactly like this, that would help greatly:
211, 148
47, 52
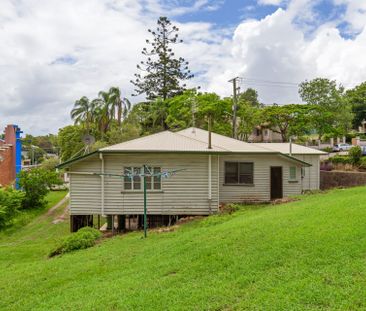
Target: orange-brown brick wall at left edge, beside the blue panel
7, 154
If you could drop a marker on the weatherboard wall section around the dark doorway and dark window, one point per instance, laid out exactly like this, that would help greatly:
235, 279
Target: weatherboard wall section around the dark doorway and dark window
260, 191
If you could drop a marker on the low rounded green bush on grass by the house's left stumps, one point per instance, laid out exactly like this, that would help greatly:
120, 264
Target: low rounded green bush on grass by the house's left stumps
82, 239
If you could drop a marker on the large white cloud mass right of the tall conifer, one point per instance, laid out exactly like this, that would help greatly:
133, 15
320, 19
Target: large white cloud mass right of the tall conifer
277, 49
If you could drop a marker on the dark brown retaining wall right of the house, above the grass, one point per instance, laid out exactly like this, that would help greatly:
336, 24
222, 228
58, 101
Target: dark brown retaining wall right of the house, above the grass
334, 179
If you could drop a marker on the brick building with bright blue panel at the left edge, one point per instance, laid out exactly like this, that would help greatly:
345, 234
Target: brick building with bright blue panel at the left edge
10, 155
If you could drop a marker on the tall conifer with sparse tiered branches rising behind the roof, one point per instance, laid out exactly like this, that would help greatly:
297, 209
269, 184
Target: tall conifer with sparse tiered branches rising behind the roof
162, 71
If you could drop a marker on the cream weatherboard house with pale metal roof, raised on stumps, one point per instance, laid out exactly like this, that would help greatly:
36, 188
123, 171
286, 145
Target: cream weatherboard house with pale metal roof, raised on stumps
211, 169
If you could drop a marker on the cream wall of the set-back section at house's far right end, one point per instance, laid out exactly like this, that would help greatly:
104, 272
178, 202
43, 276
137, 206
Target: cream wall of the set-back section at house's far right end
311, 180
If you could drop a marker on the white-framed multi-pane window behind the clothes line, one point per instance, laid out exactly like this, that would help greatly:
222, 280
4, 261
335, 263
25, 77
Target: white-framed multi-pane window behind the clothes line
136, 182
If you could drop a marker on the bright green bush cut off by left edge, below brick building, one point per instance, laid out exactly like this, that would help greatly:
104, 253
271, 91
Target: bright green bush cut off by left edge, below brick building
10, 202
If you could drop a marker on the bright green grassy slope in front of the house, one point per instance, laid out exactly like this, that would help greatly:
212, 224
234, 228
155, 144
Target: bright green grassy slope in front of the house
303, 255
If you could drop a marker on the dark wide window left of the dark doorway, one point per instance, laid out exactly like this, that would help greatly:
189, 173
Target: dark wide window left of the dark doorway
238, 173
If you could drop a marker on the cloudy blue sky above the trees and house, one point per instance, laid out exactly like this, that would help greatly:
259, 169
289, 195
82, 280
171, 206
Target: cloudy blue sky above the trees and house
54, 52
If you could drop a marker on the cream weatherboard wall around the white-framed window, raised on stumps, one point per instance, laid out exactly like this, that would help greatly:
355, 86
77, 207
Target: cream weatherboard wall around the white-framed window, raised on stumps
186, 192
